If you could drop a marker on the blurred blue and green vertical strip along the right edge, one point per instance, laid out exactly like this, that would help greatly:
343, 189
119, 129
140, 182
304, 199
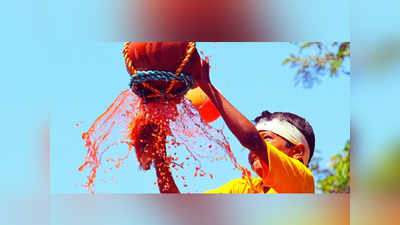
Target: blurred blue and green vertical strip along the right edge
375, 125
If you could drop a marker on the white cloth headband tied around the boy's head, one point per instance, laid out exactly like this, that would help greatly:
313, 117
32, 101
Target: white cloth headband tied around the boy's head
287, 131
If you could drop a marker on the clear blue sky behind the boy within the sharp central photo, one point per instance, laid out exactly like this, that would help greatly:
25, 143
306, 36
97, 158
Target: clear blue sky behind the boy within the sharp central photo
250, 75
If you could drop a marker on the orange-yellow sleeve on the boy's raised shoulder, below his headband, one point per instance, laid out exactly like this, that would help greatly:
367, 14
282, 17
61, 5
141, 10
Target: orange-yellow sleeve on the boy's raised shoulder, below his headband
286, 174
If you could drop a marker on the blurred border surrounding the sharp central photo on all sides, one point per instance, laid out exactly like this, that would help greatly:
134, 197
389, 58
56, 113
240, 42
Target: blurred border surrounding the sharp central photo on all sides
35, 31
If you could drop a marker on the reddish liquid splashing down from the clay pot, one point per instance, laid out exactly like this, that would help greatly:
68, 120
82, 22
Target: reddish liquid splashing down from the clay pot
174, 125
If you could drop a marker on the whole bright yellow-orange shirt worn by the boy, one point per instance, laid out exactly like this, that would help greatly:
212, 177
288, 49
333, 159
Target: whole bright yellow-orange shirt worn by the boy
283, 175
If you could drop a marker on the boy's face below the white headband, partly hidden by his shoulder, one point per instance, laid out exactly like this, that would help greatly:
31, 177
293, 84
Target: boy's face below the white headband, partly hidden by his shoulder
279, 142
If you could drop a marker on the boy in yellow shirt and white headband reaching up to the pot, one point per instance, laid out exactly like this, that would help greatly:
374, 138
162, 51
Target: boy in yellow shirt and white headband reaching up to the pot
281, 146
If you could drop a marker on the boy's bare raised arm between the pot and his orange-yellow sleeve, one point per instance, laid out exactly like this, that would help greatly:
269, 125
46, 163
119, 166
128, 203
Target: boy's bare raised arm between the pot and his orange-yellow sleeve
240, 126
